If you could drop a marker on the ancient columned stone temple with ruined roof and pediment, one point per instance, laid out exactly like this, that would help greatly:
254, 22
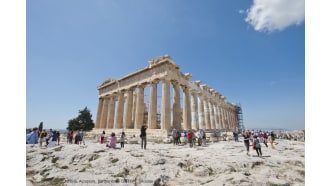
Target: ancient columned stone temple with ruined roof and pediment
122, 104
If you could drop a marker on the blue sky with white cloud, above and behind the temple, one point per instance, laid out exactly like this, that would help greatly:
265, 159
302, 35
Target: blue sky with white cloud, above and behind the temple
252, 52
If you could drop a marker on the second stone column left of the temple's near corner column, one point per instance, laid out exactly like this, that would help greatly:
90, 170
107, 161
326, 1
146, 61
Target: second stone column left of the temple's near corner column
139, 114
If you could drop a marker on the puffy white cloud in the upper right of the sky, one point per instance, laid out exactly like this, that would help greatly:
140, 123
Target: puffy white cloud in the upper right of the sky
271, 15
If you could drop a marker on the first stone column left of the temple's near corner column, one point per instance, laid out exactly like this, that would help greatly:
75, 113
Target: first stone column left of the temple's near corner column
152, 113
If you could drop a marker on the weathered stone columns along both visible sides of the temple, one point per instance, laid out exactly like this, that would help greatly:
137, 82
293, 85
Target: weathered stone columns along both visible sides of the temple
198, 112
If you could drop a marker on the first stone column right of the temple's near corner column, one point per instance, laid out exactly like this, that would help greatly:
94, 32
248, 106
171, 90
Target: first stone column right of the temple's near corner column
176, 106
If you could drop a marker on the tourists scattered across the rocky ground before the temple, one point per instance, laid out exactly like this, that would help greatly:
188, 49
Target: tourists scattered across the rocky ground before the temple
192, 137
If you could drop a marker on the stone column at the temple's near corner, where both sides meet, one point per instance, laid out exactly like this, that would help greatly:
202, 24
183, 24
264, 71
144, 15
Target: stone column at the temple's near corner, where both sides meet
166, 115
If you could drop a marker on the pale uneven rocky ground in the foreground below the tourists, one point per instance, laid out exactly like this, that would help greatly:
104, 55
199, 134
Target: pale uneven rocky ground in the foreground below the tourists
219, 163
